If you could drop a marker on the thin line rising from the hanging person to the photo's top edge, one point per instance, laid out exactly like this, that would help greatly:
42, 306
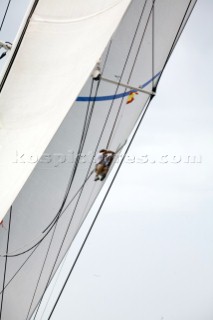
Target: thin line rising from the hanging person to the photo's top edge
131, 72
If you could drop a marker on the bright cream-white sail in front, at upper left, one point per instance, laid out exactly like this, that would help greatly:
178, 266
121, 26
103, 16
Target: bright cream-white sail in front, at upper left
63, 42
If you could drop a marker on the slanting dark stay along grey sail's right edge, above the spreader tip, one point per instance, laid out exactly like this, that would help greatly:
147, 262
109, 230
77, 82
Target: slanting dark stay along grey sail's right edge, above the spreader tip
178, 34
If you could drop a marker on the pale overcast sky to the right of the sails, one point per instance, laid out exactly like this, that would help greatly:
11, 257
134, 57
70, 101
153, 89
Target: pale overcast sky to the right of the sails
150, 254
